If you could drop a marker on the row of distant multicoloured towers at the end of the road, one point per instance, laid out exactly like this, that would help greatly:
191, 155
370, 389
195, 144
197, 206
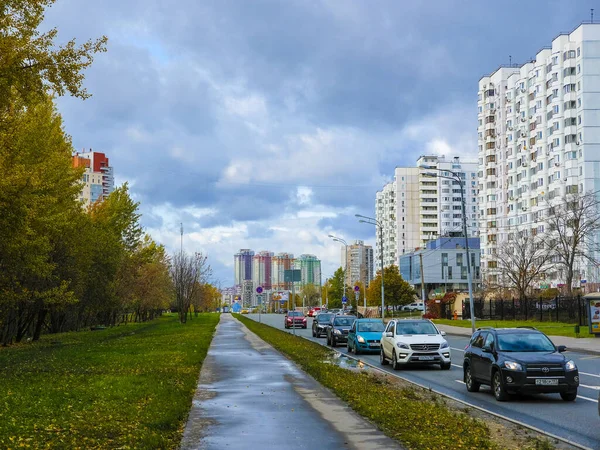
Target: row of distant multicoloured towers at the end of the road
267, 270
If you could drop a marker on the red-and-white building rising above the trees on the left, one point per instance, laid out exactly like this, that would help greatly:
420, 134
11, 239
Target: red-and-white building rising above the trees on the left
98, 176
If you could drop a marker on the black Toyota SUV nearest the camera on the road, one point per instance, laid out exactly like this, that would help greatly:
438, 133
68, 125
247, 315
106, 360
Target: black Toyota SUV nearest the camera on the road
518, 360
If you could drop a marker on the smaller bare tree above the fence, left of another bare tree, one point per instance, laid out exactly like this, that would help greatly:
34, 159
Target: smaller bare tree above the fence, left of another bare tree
522, 260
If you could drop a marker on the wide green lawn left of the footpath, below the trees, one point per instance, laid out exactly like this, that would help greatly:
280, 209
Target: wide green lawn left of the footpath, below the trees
125, 387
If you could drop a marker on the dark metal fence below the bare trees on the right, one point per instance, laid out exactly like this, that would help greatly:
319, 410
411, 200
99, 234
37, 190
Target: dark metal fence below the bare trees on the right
559, 309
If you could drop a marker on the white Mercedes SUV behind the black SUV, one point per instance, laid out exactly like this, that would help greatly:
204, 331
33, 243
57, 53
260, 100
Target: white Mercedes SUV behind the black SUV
415, 341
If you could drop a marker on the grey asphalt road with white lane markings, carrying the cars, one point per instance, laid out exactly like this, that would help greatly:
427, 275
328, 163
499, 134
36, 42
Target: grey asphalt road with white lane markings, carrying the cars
578, 421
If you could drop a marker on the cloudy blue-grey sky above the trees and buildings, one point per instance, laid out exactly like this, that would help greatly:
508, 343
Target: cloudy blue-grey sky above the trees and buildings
268, 124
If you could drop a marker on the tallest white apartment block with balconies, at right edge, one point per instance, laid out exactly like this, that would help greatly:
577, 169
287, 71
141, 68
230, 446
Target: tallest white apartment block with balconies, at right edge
539, 139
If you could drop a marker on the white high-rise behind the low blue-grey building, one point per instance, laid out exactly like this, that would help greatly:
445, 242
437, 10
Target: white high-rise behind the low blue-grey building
421, 204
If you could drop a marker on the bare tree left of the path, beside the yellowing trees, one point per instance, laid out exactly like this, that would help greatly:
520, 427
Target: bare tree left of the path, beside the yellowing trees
188, 273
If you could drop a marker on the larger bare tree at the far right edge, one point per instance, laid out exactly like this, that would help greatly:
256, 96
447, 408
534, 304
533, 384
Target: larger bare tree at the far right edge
574, 226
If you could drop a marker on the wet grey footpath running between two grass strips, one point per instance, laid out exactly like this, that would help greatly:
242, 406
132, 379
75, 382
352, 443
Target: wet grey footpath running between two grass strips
251, 397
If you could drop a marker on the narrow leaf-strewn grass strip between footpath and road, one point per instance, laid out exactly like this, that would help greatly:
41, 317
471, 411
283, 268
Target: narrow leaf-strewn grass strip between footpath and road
418, 420
